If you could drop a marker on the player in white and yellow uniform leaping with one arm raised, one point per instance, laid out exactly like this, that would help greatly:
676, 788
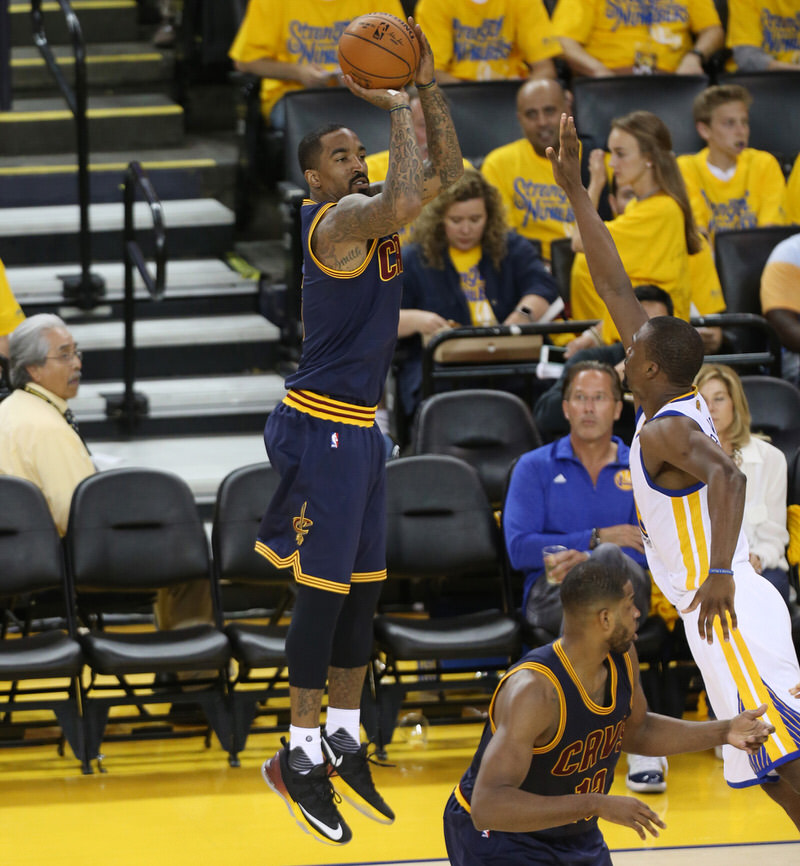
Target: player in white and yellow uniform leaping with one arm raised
690, 499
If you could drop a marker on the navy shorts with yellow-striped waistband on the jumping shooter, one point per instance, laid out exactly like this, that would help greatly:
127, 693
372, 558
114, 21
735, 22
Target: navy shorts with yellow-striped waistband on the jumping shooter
327, 519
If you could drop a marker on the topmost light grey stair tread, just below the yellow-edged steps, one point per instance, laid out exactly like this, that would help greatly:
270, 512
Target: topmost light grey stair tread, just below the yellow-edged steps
109, 217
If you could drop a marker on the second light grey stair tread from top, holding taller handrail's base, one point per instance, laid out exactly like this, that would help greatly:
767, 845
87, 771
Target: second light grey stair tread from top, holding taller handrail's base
185, 278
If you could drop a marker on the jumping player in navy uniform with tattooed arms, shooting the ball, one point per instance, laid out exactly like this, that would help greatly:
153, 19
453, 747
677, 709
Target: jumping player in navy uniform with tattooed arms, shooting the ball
327, 518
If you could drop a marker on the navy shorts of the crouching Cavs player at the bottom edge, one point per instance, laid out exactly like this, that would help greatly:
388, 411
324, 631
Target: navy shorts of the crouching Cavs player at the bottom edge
467, 846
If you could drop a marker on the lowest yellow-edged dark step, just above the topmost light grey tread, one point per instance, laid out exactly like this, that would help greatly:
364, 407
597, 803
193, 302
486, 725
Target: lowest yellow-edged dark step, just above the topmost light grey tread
203, 167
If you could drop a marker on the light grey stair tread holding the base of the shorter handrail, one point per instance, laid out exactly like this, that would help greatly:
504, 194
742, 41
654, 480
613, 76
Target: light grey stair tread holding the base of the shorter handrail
188, 397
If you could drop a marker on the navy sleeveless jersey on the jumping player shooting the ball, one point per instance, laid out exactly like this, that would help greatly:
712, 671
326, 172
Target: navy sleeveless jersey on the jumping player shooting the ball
349, 318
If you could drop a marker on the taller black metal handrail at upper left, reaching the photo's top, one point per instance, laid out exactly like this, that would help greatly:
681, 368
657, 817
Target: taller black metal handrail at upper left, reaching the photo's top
86, 289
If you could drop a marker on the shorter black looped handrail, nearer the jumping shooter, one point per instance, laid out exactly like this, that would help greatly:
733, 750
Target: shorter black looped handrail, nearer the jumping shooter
130, 406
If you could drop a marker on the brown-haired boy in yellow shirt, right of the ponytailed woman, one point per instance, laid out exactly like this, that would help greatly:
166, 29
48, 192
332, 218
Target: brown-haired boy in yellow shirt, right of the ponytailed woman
731, 185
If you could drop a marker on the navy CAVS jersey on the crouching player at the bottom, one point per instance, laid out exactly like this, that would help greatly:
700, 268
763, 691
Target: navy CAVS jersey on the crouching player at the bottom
582, 755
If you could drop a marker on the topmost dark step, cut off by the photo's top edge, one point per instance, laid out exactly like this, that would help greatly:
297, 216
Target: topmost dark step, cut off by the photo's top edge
100, 20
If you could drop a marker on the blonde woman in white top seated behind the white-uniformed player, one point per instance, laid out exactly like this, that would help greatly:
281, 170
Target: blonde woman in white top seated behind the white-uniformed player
764, 522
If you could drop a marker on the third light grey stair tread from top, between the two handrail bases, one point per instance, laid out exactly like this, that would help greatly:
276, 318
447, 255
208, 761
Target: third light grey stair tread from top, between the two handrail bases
157, 333
